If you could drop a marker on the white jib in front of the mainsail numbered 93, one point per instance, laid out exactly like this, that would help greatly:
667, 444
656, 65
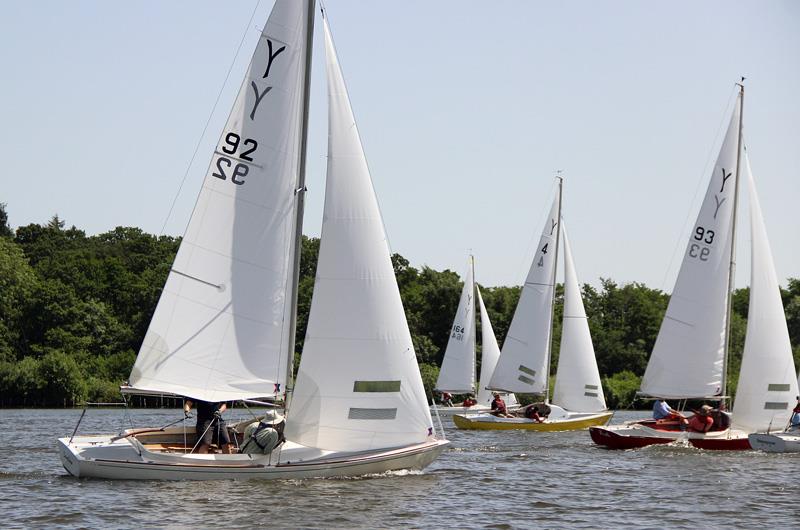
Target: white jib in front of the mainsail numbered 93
767, 381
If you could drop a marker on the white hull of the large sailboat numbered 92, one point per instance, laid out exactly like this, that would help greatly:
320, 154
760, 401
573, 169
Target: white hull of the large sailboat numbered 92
127, 459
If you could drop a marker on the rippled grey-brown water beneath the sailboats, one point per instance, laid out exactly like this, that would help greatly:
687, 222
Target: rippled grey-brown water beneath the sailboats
486, 480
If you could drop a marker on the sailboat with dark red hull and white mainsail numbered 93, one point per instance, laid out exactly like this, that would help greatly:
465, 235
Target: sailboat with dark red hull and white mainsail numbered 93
690, 357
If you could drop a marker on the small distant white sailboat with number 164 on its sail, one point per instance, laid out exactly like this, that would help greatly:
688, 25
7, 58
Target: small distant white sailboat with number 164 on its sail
457, 375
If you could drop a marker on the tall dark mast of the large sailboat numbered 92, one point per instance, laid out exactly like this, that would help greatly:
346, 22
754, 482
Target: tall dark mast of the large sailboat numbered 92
300, 197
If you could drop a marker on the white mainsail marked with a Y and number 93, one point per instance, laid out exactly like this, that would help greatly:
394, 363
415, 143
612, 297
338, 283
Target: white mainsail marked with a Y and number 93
688, 354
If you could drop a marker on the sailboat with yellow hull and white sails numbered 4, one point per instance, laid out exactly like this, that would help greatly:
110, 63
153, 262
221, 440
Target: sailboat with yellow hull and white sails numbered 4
523, 367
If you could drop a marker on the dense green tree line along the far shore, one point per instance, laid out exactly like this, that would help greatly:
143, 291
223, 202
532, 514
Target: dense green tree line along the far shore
75, 308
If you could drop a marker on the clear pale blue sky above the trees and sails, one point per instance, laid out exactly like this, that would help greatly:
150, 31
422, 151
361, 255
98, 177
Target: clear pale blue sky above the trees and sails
466, 110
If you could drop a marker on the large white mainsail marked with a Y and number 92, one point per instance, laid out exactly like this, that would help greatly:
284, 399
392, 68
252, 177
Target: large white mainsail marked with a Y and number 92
220, 329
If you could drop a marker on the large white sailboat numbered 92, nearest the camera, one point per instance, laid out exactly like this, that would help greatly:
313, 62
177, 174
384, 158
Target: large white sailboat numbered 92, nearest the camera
224, 326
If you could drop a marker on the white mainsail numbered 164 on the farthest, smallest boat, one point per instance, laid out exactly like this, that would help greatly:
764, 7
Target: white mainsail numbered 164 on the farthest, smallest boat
458, 367
